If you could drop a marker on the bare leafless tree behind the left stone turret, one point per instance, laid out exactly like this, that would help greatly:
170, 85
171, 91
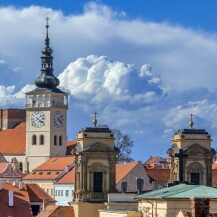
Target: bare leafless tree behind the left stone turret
125, 145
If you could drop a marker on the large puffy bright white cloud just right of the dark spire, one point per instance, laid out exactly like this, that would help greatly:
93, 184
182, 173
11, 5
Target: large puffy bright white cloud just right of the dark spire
100, 79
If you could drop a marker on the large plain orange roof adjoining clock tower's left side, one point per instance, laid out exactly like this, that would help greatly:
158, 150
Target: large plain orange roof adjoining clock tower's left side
13, 141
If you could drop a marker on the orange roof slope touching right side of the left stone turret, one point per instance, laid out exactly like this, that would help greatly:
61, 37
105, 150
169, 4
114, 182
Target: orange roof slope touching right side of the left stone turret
123, 169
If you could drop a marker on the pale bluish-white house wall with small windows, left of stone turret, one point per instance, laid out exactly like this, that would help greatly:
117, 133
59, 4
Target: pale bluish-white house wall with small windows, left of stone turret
60, 193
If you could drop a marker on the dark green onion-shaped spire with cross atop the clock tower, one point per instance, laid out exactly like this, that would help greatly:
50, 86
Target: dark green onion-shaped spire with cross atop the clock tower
47, 78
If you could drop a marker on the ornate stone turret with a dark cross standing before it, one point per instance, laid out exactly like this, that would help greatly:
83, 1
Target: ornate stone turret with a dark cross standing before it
191, 156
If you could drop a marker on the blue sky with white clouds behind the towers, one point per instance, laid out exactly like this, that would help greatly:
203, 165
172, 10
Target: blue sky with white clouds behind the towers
143, 65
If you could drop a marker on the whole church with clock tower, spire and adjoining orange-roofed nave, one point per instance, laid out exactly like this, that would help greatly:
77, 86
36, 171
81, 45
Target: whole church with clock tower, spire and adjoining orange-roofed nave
30, 137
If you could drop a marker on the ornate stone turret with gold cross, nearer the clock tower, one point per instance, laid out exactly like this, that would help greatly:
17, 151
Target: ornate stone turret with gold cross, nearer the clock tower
95, 160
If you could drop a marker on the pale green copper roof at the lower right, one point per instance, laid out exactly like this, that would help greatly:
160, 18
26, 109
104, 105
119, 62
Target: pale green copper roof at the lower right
181, 191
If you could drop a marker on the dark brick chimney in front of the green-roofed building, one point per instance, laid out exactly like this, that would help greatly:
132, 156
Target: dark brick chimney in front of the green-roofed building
200, 206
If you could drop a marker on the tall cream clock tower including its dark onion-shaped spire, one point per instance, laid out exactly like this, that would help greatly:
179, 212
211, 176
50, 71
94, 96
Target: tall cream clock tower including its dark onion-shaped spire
46, 114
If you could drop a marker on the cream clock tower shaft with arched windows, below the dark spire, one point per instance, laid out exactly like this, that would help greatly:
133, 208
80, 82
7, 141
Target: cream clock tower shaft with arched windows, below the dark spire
46, 122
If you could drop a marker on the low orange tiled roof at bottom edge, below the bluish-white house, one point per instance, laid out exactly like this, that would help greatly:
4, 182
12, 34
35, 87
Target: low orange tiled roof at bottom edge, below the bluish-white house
54, 211
